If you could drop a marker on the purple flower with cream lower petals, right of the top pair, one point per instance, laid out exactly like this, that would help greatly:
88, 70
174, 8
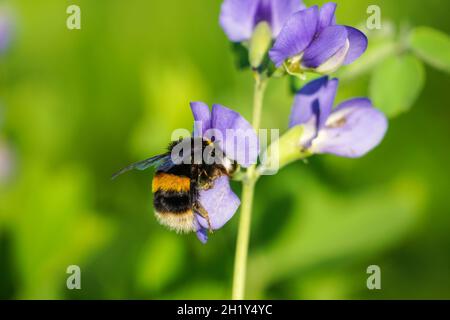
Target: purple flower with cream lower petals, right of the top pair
311, 41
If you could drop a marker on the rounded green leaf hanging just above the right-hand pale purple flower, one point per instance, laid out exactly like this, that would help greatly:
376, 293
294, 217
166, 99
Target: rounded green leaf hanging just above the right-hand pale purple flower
396, 84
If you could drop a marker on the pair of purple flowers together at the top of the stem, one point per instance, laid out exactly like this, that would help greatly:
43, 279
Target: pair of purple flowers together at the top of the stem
306, 39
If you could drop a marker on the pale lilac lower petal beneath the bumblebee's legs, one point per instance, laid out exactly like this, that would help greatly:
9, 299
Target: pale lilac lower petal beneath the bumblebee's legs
220, 202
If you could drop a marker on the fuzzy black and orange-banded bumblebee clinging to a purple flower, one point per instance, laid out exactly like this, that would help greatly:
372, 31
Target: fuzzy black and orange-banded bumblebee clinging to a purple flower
180, 176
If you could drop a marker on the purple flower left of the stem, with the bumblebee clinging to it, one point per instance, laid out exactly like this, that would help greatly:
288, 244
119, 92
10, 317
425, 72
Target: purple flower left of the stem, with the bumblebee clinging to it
230, 132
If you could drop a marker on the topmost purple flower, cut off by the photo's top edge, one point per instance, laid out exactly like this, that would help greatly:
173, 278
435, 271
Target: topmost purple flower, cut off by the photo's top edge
239, 18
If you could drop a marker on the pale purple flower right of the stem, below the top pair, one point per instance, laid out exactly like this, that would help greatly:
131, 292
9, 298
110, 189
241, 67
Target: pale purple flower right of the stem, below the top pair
351, 129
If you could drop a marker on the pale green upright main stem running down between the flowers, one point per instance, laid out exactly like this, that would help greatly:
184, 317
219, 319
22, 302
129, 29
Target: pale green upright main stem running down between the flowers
243, 237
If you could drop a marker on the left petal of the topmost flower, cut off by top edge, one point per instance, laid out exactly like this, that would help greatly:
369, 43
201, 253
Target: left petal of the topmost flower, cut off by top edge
237, 18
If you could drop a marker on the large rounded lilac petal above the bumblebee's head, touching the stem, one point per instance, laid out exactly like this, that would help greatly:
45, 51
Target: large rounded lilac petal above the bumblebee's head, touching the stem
238, 139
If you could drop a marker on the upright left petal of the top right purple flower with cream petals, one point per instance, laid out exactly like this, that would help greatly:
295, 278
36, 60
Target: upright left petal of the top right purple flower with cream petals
295, 36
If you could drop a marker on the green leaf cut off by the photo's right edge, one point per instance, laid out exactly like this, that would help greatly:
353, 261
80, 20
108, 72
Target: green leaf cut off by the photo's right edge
433, 46
